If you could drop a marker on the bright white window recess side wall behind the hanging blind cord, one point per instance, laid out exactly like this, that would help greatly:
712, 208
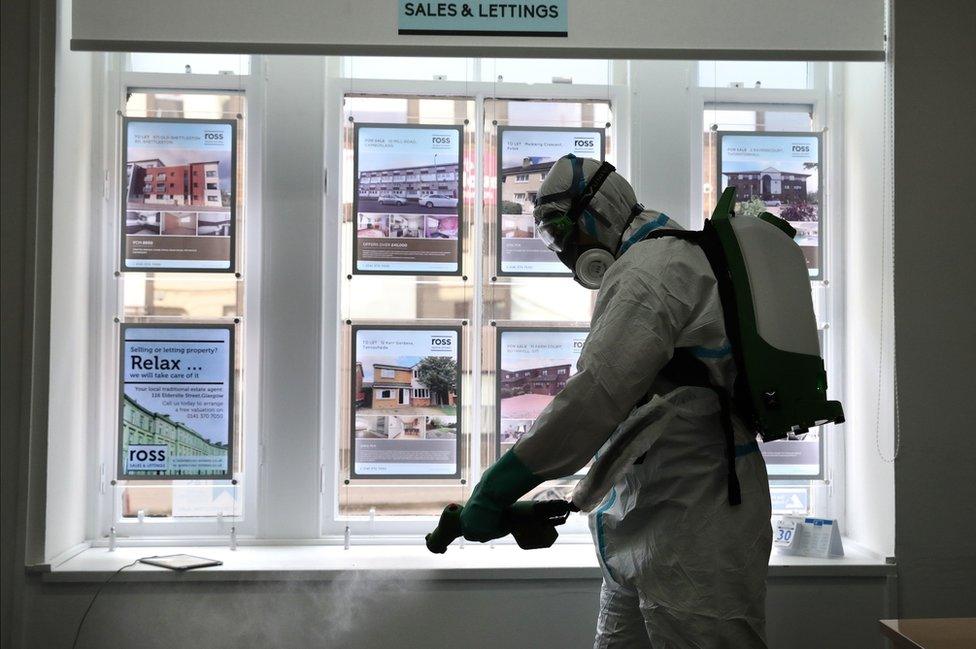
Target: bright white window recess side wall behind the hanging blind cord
870, 478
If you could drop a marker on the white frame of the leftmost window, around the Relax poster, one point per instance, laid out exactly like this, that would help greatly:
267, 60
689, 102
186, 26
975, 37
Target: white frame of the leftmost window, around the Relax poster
107, 289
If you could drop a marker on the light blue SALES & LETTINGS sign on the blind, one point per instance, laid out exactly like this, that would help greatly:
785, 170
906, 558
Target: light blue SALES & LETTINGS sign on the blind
484, 18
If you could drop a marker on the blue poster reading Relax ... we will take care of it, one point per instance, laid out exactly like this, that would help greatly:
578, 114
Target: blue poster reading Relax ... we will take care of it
176, 402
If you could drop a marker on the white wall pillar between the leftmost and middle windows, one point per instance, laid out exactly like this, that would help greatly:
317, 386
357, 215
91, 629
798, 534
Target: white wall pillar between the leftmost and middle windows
291, 293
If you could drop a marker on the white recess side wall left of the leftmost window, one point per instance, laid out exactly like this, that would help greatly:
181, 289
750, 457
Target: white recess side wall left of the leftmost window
68, 469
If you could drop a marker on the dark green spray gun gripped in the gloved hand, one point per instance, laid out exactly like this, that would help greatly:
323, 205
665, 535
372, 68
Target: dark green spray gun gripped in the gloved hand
532, 523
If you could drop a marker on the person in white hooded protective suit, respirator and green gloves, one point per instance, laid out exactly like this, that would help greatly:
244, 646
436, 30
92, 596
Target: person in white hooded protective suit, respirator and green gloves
682, 523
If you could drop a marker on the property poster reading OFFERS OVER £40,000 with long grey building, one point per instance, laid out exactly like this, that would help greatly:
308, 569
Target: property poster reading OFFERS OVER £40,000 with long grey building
408, 199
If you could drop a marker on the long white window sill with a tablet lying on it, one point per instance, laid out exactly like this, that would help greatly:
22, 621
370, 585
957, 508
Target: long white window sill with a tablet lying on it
473, 562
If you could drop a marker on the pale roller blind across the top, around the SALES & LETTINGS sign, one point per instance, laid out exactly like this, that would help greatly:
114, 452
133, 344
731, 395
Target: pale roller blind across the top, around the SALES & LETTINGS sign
624, 29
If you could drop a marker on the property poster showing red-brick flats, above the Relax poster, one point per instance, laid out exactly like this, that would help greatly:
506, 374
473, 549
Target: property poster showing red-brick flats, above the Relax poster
179, 195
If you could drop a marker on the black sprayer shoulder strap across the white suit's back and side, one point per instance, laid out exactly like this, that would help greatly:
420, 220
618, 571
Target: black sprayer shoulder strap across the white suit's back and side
686, 368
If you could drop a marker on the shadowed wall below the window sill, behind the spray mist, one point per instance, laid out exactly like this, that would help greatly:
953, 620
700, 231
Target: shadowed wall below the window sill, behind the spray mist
414, 613
